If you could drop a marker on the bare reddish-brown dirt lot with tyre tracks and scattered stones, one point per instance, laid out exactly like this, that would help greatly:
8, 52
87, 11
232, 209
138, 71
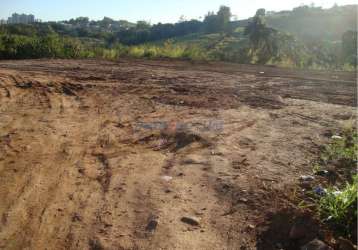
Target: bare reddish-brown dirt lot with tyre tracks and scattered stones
104, 155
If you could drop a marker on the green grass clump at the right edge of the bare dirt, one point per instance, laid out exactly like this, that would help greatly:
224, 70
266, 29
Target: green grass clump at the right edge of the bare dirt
338, 206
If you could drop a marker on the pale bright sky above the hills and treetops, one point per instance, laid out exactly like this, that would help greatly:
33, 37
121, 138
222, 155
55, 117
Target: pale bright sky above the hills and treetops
153, 11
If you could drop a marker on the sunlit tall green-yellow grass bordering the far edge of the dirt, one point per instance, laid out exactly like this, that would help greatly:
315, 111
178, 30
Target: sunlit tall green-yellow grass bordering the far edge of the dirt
202, 47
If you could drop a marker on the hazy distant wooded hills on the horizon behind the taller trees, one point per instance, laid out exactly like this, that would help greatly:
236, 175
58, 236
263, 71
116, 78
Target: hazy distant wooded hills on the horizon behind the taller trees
305, 22
